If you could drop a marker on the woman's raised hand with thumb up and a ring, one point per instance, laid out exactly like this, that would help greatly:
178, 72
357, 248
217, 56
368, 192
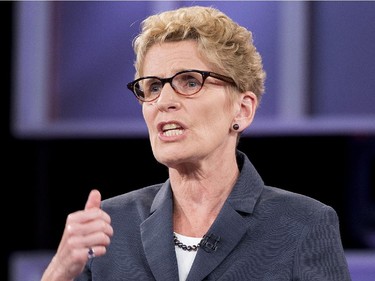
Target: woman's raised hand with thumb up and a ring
86, 235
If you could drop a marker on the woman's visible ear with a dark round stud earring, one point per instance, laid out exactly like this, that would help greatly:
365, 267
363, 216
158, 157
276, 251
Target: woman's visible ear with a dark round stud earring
248, 103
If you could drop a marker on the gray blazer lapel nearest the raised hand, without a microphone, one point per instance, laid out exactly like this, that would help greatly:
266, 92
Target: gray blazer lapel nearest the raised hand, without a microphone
157, 237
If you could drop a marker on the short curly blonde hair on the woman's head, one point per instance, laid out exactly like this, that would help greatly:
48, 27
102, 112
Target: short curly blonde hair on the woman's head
224, 43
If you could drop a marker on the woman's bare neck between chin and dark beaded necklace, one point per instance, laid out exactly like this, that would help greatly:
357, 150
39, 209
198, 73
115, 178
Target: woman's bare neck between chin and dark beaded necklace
199, 199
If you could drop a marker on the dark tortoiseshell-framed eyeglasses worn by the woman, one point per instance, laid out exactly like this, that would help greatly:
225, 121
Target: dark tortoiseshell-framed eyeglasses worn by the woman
186, 83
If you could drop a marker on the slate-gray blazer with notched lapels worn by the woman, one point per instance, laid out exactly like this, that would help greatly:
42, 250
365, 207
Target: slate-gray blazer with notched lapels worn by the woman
261, 233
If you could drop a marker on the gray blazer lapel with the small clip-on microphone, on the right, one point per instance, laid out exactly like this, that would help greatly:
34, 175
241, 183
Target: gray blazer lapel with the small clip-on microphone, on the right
230, 224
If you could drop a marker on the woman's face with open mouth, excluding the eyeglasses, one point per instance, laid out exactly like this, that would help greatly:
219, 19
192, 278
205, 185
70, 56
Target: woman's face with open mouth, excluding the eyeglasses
187, 130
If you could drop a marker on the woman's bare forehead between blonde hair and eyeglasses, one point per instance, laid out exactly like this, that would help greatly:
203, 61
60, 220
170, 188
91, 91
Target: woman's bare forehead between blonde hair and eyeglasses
167, 58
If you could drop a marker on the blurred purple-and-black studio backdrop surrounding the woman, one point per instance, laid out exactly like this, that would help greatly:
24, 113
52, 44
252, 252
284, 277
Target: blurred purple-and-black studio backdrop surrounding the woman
69, 124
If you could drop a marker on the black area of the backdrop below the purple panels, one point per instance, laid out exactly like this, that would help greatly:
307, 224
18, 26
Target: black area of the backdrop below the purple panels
45, 179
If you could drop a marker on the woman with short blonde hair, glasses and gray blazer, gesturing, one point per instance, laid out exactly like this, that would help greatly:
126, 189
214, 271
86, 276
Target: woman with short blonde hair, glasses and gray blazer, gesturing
200, 79
